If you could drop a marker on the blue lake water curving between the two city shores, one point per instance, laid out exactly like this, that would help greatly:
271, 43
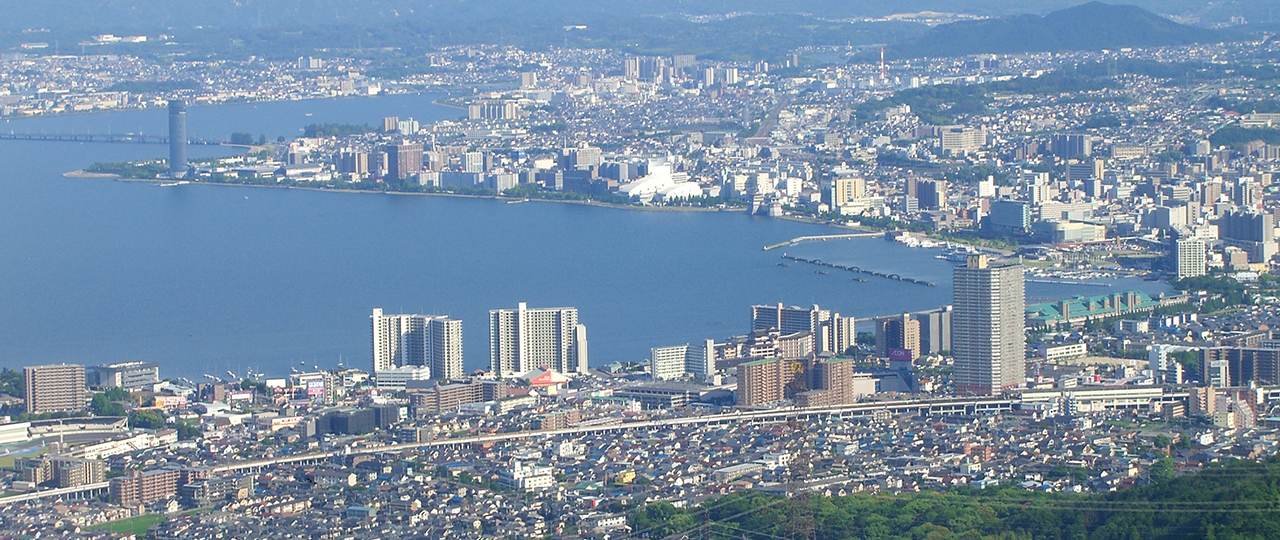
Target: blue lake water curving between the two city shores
209, 278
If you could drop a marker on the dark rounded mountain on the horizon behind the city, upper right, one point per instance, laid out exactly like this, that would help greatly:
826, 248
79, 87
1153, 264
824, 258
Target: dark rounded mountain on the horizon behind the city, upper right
1091, 26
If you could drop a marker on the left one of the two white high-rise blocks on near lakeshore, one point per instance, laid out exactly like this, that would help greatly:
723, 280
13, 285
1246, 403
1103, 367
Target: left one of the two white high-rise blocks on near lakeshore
408, 340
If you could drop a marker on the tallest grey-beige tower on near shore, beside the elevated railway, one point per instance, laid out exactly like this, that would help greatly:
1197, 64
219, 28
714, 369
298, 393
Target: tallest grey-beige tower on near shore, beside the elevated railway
988, 327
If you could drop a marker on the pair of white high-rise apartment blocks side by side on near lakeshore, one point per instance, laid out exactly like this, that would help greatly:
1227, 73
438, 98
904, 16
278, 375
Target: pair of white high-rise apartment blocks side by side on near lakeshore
420, 347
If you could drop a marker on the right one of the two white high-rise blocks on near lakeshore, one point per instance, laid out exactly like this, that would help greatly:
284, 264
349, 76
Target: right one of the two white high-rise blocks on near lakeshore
525, 340
